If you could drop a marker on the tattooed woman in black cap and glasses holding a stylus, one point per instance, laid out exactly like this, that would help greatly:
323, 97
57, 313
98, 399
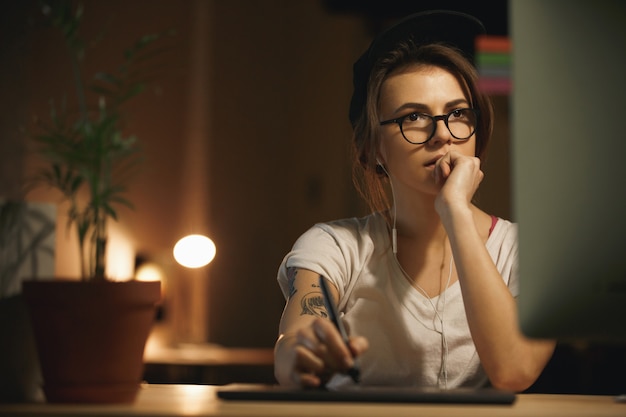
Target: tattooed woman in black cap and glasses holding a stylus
427, 282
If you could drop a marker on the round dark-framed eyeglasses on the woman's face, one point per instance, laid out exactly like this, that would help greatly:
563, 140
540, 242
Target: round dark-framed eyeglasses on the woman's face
419, 128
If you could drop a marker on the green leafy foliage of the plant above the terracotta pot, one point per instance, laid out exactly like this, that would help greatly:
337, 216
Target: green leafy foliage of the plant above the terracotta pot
86, 149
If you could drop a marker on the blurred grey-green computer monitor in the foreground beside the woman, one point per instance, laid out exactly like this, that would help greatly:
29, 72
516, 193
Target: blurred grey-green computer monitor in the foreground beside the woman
568, 109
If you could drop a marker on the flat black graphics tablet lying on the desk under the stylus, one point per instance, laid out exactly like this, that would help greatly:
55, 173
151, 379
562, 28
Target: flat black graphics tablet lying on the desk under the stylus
260, 392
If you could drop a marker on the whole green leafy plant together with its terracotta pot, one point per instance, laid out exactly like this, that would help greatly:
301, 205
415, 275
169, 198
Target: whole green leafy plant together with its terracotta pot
91, 333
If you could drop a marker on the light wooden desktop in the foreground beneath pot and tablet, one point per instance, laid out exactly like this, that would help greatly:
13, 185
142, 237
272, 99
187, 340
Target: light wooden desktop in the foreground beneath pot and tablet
200, 400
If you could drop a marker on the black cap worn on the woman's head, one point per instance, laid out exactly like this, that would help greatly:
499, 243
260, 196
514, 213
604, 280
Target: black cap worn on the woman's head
443, 26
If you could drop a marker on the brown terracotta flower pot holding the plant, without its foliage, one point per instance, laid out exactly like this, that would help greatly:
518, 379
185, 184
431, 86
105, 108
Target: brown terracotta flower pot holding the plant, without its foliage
90, 337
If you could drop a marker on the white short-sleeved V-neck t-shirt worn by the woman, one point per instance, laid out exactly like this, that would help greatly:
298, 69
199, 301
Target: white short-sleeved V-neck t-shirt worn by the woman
377, 302
